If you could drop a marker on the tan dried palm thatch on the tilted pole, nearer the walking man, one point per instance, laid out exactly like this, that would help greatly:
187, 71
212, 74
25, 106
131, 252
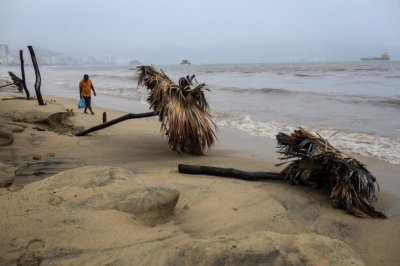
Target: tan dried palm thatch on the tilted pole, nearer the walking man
183, 111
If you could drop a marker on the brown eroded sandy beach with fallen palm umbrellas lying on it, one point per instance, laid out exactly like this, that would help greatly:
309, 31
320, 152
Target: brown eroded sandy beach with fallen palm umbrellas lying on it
115, 197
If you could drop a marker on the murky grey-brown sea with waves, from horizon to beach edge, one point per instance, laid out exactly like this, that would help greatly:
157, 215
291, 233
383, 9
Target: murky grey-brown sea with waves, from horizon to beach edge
355, 105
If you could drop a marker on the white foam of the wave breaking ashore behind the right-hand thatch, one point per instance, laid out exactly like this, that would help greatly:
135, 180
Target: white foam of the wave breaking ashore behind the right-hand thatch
384, 148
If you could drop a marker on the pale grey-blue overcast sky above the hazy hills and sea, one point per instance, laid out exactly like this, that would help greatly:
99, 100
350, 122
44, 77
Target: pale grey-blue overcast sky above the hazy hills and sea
205, 31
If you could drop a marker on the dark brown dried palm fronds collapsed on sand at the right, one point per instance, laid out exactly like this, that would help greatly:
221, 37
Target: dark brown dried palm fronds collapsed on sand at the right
351, 185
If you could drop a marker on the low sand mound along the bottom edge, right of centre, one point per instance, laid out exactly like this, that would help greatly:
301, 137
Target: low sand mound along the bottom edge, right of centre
267, 248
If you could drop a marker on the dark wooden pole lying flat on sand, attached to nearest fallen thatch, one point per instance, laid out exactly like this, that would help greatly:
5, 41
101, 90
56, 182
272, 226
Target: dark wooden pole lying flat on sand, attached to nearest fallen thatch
227, 172
